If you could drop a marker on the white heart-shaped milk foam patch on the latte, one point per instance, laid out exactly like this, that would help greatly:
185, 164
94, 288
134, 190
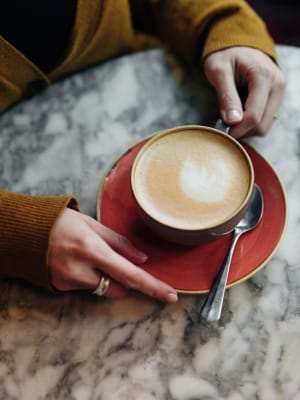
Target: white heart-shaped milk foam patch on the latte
206, 183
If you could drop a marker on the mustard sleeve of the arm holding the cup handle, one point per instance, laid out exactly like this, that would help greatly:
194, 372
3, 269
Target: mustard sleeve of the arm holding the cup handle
196, 28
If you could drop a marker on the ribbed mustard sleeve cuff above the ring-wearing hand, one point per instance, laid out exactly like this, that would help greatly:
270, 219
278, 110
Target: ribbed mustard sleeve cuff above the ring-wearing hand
25, 227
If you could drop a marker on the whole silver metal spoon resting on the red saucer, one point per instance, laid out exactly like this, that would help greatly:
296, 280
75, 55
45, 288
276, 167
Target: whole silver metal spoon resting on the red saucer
212, 306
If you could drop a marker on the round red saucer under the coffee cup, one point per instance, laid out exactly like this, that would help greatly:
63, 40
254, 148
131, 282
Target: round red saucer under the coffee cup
193, 269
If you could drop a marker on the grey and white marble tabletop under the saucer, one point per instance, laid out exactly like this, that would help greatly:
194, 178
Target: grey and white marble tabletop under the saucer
79, 346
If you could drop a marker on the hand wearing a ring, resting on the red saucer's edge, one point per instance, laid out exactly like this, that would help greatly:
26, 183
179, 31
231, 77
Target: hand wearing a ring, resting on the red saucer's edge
81, 250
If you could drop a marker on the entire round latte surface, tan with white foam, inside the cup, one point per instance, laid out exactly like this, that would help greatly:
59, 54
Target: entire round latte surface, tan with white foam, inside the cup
191, 179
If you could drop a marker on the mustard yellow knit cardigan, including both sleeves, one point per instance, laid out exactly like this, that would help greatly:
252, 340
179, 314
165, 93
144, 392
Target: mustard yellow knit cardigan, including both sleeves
103, 29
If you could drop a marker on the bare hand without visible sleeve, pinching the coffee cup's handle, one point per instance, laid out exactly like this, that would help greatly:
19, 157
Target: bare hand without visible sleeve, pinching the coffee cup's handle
249, 68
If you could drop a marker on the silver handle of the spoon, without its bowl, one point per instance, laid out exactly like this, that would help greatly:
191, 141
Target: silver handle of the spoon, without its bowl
212, 306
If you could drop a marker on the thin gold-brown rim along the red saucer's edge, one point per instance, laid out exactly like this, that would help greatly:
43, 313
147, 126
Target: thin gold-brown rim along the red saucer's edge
114, 163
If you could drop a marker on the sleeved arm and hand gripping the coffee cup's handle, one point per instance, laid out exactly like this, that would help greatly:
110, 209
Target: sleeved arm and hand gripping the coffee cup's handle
233, 44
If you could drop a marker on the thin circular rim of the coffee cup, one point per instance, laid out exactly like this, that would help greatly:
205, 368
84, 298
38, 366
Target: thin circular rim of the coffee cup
156, 136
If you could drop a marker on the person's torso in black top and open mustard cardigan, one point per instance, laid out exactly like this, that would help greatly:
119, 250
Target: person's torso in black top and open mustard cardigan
40, 43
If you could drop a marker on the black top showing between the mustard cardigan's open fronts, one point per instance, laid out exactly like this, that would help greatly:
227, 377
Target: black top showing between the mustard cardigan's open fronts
39, 29
